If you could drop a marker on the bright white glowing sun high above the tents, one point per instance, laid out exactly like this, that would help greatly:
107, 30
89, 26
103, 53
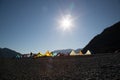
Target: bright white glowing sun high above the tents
66, 22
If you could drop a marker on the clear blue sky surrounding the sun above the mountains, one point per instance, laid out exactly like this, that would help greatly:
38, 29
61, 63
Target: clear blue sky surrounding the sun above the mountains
32, 25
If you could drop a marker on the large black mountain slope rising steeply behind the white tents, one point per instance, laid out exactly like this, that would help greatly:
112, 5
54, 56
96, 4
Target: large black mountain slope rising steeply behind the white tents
106, 42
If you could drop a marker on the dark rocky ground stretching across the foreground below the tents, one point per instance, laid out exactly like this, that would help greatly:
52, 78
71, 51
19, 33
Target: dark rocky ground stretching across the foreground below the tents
94, 67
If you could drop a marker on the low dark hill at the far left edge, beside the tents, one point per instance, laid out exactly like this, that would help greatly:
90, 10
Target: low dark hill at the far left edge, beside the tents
8, 53
